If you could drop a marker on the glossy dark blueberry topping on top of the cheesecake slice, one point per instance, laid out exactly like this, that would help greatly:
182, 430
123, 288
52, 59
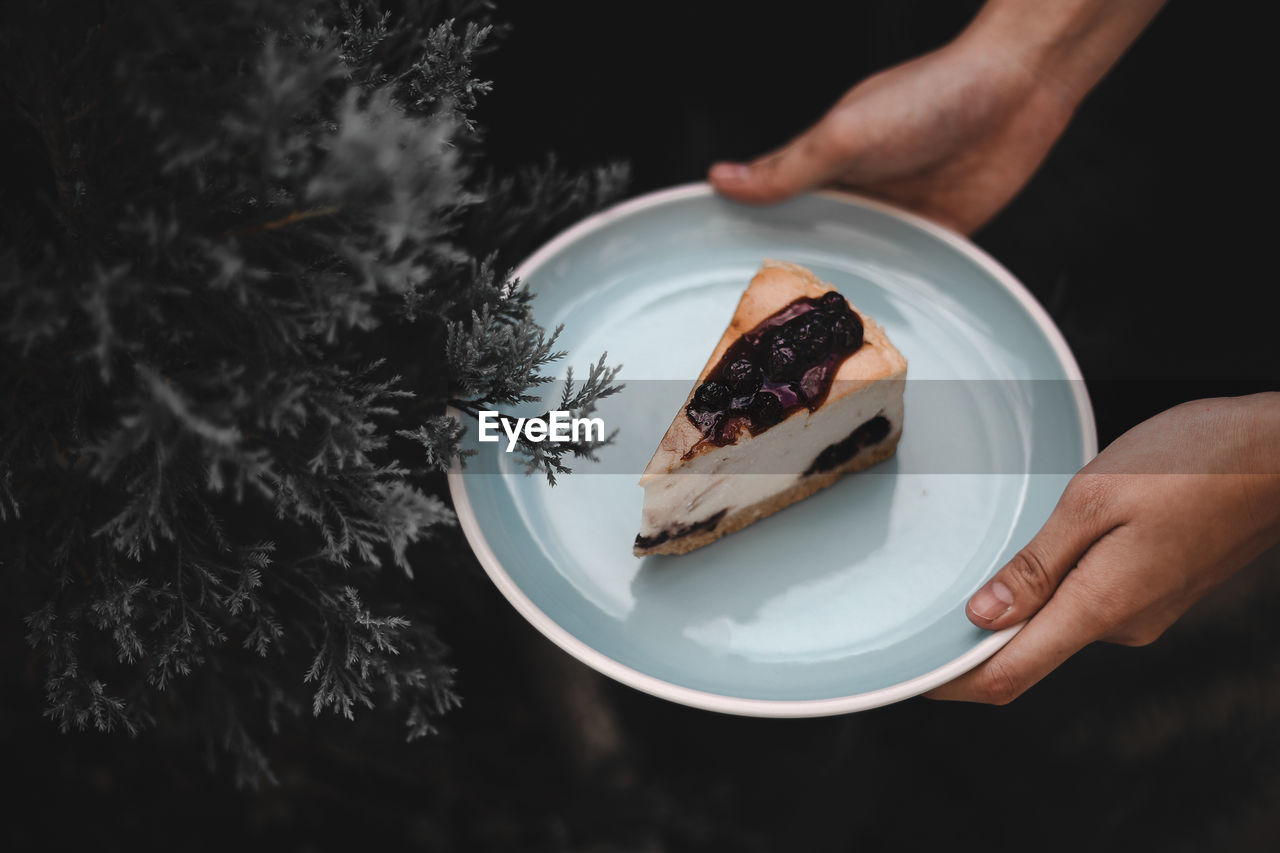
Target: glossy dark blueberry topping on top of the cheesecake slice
787, 362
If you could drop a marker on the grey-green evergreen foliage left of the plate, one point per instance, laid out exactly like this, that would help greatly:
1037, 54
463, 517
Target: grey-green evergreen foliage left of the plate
250, 253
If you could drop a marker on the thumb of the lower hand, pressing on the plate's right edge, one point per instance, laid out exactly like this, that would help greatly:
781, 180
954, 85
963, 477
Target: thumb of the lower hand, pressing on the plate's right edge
1026, 585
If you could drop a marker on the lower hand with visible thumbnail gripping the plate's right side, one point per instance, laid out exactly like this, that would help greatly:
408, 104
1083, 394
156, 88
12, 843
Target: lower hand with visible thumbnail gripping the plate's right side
1163, 516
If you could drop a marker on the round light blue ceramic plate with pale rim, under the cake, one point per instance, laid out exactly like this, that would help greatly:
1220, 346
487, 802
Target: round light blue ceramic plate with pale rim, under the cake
852, 599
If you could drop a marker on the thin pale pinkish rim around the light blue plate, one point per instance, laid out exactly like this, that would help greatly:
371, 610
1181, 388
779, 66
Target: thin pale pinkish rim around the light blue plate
720, 703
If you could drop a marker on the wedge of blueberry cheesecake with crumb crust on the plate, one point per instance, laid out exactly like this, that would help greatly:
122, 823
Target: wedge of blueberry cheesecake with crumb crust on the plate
801, 390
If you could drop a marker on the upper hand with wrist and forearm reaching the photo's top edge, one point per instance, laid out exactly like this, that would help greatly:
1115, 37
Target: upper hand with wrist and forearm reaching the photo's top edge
957, 134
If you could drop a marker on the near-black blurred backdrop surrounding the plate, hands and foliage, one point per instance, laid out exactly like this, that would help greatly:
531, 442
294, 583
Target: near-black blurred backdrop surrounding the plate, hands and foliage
1149, 238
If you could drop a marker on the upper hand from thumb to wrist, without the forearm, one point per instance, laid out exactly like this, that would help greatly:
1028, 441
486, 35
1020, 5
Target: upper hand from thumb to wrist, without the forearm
953, 135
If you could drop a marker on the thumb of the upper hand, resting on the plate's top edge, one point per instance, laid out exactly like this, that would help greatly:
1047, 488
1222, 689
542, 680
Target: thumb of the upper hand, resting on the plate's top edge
810, 161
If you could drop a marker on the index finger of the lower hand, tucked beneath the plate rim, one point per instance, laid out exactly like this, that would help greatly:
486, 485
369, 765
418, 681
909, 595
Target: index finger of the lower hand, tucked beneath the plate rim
1064, 627
